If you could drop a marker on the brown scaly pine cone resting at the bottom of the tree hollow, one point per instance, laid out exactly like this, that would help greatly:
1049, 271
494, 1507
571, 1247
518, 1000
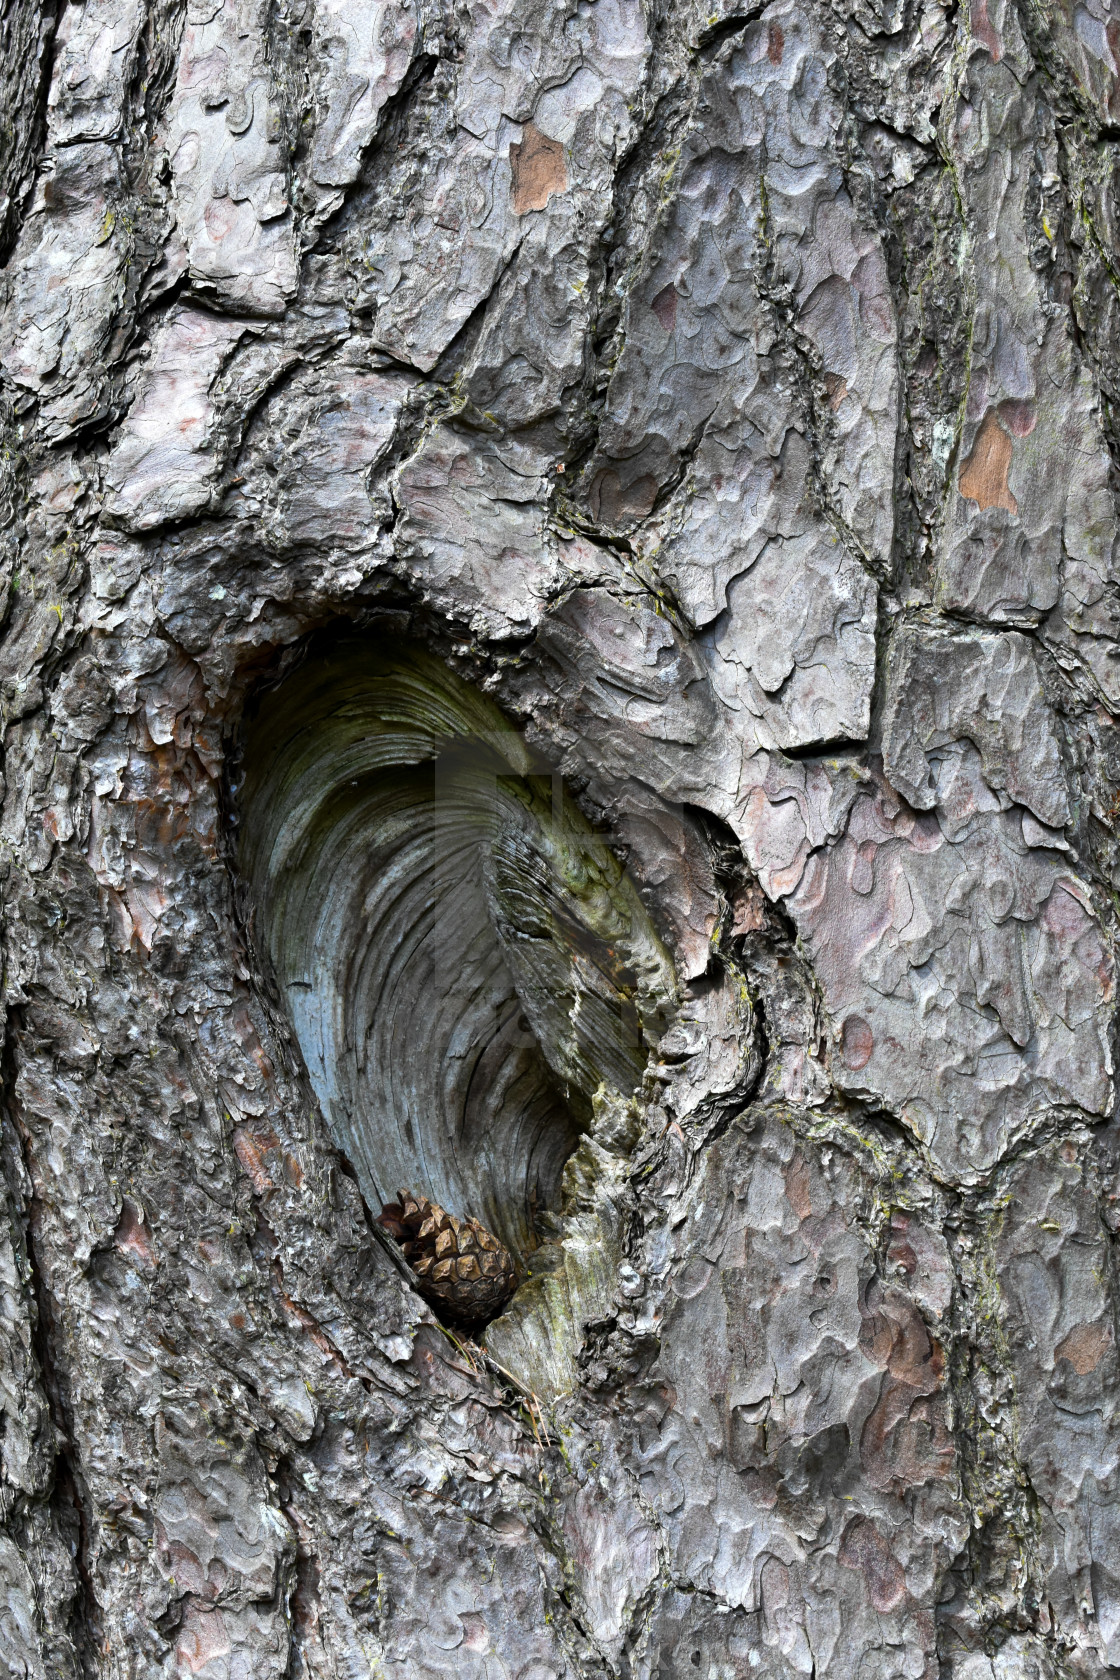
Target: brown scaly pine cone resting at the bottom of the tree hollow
464, 1273
